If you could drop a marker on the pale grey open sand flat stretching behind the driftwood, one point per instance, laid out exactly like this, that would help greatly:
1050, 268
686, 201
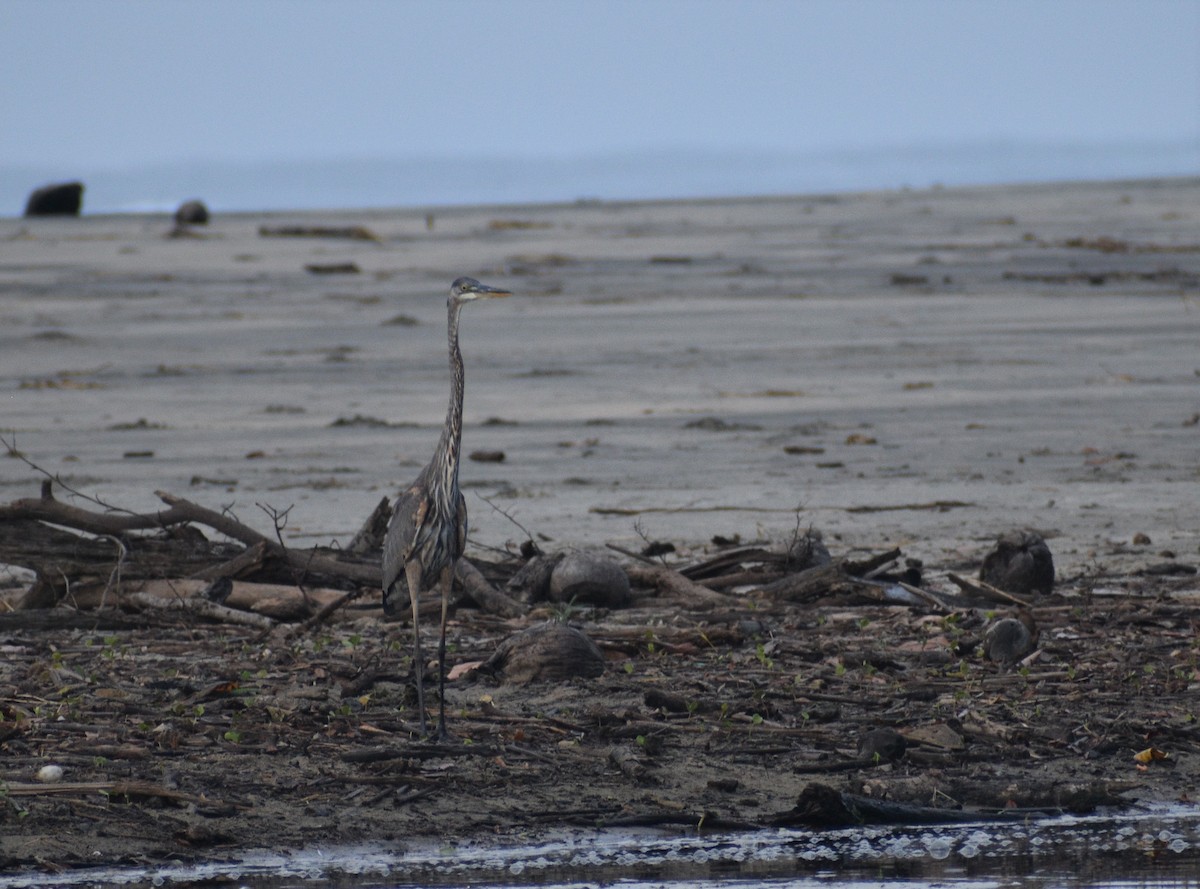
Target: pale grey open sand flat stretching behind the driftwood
667, 370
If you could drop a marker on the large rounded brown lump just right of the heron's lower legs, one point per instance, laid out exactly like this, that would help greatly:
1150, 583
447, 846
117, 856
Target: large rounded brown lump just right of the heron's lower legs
550, 652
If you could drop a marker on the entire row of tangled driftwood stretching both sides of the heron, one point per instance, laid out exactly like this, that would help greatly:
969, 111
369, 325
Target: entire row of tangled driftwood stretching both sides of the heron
98, 558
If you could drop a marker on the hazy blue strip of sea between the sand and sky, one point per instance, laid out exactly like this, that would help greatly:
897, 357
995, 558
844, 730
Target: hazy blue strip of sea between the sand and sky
423, 182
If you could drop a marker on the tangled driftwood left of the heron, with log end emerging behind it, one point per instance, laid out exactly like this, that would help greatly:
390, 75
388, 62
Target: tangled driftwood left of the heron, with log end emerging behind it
106, 558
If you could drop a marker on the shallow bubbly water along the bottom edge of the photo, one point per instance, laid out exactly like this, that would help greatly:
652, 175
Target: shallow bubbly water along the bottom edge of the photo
1151, 848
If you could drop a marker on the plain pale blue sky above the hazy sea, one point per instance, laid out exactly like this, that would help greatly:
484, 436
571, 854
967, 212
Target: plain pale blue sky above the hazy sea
123, 83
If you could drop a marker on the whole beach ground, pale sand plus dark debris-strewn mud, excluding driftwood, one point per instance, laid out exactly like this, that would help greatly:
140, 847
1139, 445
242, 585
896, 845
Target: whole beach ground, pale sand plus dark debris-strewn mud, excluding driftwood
913, 370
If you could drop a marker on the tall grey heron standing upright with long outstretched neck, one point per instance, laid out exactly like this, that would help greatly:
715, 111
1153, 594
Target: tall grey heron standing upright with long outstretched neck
428, 531
